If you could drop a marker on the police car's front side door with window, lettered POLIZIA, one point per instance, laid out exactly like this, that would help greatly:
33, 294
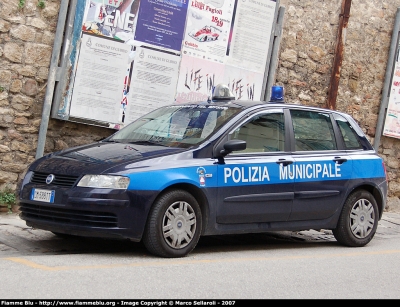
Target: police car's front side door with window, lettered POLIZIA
250, 187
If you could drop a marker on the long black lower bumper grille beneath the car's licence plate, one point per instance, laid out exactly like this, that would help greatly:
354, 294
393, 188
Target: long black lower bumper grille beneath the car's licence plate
68, 216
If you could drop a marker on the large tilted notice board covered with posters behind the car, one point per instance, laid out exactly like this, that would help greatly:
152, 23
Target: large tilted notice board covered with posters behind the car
128, 57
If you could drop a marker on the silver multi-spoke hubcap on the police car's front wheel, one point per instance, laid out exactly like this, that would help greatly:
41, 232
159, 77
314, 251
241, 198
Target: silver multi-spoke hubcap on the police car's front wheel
179, 224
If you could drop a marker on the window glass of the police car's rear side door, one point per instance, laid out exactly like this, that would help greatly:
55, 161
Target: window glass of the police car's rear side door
312, 131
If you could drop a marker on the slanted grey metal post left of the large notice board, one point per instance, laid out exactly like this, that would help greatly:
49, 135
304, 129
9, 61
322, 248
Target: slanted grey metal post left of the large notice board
51, 79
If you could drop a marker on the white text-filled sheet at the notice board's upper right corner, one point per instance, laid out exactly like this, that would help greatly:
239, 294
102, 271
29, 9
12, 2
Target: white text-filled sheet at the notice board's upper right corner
251, 33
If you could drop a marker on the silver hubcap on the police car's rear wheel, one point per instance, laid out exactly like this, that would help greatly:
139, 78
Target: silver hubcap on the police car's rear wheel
362, 218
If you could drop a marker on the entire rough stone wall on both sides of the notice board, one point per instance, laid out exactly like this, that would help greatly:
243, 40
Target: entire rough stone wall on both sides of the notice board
306, 56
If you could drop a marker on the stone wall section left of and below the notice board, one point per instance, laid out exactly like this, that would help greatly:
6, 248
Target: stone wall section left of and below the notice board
26, 41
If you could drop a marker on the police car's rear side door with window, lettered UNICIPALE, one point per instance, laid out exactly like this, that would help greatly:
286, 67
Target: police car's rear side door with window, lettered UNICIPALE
321, 171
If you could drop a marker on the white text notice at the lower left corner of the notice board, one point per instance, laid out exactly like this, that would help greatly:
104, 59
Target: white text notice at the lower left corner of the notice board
99, 79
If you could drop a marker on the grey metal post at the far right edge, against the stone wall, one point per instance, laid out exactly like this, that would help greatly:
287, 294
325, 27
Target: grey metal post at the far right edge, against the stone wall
388, 81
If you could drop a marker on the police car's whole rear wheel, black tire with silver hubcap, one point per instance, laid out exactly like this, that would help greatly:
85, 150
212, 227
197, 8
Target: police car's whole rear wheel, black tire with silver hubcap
358, 220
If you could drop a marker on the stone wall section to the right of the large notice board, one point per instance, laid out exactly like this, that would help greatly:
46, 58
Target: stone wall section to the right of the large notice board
306, 58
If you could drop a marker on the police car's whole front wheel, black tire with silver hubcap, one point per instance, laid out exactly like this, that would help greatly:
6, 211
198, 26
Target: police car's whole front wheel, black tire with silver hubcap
174, 225
